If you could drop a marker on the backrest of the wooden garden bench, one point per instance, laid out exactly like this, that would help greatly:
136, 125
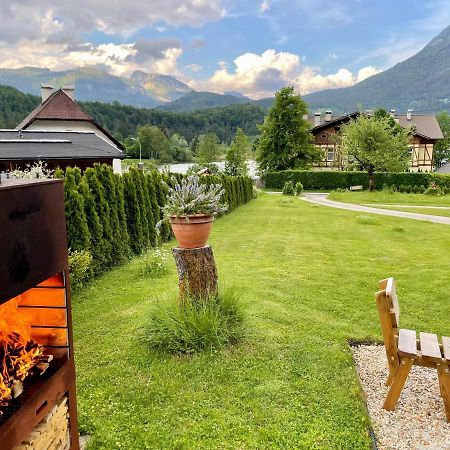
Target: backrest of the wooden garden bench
389, 311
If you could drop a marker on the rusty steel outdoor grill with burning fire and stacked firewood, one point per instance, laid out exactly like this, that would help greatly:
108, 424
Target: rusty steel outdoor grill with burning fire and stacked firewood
34, 290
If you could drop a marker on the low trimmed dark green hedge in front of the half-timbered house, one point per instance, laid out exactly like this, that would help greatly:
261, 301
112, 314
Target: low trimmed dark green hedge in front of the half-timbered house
343, 179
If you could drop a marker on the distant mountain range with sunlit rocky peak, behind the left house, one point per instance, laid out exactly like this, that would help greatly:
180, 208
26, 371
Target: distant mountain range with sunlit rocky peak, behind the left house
141, 90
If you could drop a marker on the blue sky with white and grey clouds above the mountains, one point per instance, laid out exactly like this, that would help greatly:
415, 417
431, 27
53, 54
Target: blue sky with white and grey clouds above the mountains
253, 47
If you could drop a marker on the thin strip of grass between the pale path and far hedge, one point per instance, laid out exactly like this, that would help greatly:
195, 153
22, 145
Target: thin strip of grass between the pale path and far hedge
396, 198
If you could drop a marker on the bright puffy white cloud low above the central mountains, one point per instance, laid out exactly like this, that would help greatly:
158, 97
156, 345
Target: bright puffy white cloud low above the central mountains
261, 75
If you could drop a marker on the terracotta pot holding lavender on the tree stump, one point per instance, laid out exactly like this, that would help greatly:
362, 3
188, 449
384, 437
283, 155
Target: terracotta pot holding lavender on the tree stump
192, 231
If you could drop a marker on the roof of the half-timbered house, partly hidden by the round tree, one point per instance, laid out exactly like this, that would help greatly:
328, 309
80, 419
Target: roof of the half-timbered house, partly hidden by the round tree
424, 125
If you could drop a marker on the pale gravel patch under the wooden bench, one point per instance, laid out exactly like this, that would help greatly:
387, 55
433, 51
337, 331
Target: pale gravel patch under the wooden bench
418, 421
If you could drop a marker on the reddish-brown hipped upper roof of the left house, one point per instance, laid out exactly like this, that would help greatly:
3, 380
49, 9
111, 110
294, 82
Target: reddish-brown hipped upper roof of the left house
59, 106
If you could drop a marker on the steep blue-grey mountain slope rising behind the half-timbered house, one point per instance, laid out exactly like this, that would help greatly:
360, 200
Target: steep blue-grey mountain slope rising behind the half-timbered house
422, 83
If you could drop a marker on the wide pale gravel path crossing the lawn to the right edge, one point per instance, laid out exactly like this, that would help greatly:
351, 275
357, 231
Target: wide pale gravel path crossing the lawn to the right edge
321, 199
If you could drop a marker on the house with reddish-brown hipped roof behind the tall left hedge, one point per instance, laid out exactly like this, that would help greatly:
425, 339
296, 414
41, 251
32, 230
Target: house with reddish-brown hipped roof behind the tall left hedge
60, 133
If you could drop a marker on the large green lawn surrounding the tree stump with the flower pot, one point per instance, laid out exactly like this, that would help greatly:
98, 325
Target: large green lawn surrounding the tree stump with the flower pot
307, 275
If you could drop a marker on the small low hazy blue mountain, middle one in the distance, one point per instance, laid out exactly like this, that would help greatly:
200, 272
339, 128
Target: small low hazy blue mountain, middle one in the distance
195, 100
